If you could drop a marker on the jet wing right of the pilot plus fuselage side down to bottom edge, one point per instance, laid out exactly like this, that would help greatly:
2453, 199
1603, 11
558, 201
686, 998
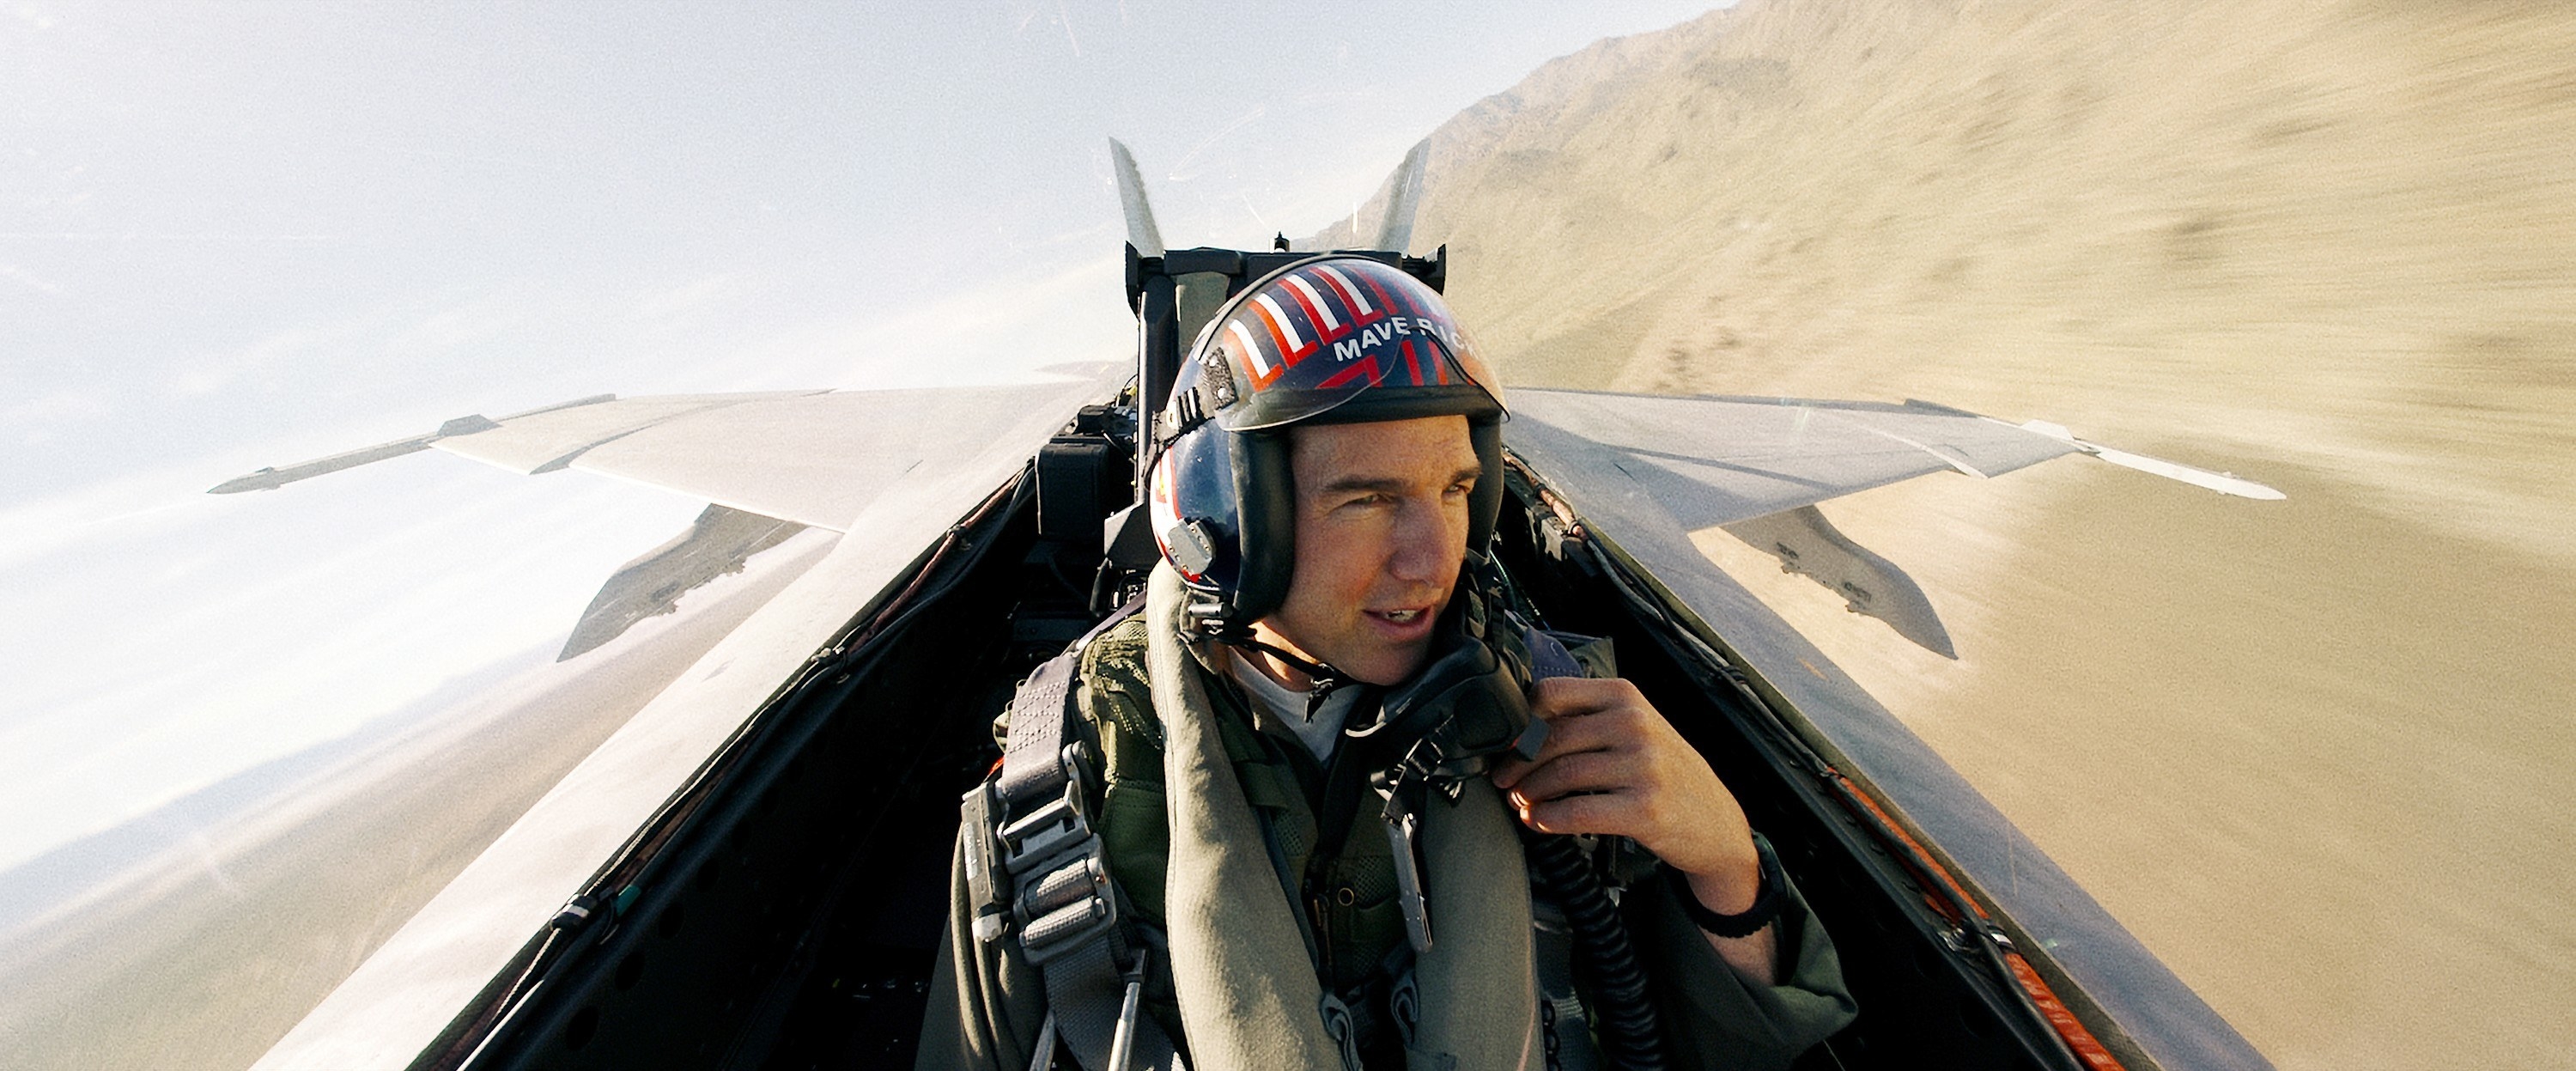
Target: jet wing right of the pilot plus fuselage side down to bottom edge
1642, 472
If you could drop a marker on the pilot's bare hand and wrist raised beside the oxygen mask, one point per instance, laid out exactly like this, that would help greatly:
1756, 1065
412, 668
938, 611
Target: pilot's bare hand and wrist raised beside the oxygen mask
1614, 766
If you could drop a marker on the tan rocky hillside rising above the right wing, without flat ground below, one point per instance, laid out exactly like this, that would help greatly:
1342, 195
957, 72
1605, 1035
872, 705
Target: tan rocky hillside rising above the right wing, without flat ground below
2338, 233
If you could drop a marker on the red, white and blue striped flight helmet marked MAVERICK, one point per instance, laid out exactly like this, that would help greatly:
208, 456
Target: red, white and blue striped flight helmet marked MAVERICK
1336, 339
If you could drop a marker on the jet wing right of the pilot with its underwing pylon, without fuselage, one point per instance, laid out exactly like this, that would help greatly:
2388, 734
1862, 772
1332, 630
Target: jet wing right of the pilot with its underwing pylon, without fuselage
1758, 467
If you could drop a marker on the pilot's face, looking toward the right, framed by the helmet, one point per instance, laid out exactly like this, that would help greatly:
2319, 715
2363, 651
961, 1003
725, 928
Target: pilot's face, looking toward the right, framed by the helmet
1382, 519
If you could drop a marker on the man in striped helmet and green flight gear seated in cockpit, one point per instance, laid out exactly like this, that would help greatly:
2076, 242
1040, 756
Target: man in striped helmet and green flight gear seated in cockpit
1209, 843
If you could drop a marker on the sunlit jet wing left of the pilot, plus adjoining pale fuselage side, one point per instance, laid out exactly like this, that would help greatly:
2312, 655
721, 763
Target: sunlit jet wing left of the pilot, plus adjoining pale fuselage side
890, 470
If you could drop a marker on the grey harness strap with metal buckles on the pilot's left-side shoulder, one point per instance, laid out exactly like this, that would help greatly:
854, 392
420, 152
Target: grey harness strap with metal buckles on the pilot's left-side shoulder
1037, 869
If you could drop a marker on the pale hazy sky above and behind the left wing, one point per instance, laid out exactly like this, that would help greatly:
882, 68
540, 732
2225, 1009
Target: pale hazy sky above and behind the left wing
241, 236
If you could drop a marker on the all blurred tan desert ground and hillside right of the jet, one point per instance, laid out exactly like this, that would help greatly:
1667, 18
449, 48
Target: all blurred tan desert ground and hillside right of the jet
2315, 753
